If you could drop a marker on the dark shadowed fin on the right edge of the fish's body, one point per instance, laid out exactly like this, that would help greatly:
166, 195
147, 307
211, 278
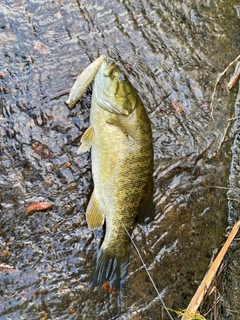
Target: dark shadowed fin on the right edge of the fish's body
146, 210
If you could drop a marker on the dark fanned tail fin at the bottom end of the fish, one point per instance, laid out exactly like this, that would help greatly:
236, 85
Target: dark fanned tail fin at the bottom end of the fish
110, 268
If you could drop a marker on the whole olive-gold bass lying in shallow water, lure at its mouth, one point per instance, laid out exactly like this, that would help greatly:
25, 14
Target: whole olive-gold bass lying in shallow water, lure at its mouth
120, 139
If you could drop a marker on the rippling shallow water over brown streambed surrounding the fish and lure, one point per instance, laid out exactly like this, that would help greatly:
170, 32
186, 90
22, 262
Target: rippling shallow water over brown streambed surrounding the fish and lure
172, 53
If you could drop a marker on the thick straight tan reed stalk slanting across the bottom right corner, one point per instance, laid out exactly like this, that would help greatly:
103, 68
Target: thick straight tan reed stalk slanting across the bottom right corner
198, 297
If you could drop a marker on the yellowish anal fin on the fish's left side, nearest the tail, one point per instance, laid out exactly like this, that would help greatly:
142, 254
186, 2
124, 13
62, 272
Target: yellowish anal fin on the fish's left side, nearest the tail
95, 217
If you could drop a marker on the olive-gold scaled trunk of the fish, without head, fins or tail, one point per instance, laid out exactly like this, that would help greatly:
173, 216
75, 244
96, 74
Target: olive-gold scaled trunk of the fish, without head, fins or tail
122, 168
